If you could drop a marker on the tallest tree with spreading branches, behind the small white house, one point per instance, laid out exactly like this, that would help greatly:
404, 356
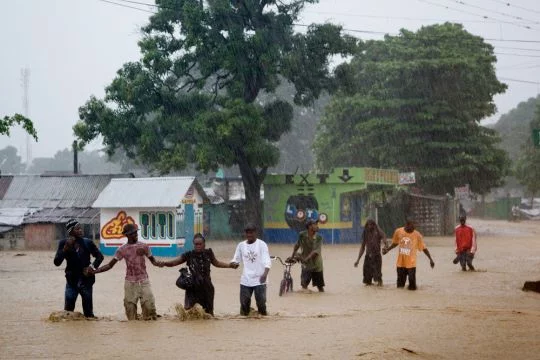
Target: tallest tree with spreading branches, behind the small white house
192, 98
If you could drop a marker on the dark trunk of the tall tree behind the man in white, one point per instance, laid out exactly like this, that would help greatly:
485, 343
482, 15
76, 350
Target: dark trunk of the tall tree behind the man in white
252, 188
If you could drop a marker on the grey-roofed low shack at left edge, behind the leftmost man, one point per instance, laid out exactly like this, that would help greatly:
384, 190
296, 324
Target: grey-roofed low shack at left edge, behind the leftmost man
35, 208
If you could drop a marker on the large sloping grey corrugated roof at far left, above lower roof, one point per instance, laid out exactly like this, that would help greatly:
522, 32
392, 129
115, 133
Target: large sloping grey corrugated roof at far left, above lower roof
78, 191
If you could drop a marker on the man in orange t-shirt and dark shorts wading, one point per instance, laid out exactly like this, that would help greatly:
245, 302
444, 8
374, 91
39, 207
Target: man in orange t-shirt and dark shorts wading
409, 241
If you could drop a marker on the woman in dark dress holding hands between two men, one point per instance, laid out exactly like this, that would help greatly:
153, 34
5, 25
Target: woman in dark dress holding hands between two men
198, 261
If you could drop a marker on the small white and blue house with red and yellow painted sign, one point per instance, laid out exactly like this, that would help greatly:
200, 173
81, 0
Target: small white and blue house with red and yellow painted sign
167, 210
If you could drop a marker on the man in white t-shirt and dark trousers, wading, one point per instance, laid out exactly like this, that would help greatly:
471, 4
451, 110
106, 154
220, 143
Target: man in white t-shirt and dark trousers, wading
253, 253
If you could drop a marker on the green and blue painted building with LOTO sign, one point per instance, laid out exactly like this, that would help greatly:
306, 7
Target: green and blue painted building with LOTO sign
341, 200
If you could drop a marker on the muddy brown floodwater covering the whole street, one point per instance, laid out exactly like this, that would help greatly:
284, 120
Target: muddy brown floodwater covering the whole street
453, 314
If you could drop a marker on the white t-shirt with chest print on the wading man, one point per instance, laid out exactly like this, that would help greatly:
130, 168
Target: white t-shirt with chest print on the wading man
255, 258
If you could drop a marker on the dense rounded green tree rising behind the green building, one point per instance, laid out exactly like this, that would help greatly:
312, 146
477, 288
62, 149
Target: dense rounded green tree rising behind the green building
414, 102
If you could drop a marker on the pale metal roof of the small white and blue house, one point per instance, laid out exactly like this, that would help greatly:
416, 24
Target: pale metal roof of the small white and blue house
164, 192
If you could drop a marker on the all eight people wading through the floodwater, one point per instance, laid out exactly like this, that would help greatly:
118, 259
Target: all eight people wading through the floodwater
254, 256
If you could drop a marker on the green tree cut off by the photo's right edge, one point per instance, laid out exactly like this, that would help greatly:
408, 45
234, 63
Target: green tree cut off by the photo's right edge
528, 164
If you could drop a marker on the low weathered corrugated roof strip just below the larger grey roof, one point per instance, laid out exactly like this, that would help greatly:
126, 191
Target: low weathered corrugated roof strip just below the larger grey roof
61, 216
